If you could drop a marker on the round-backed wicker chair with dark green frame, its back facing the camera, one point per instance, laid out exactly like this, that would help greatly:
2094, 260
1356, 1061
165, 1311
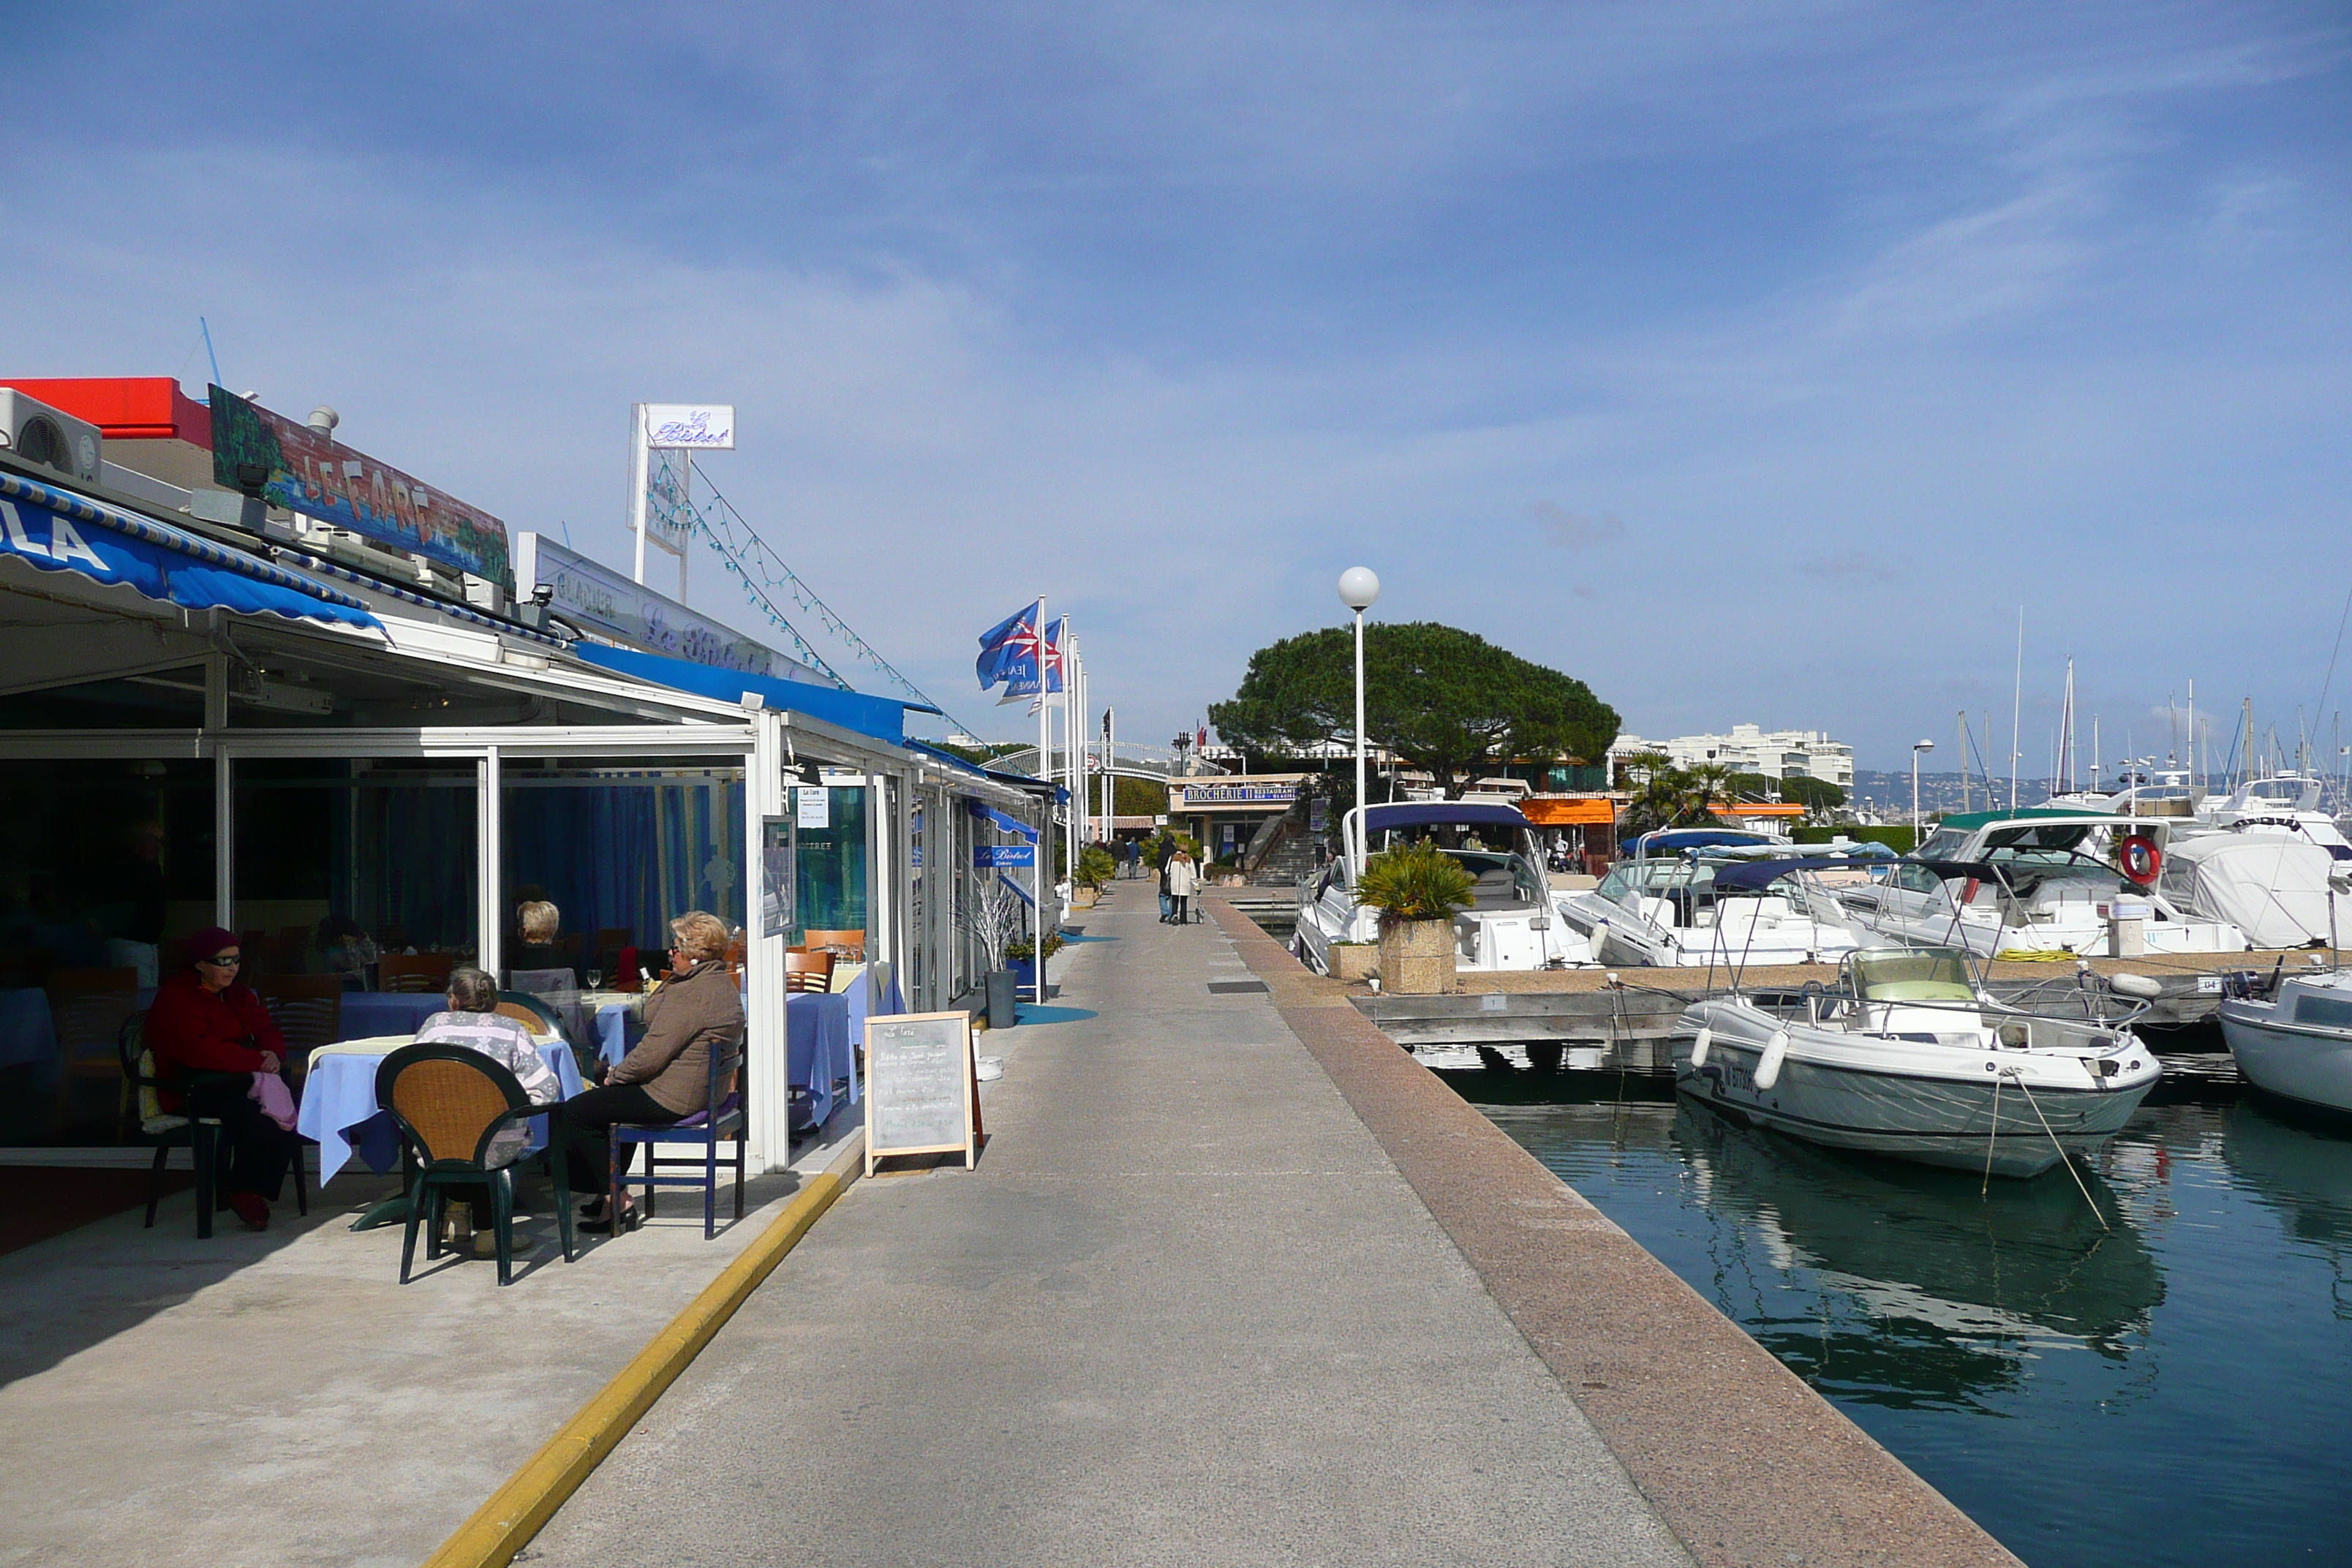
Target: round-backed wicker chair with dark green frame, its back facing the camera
450, 1104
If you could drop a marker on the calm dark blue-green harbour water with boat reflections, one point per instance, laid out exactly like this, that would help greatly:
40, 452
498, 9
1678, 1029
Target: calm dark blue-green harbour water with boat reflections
2172, 1391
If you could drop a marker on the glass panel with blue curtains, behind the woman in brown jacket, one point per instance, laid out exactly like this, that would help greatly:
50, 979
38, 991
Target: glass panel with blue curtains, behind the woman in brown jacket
620, 850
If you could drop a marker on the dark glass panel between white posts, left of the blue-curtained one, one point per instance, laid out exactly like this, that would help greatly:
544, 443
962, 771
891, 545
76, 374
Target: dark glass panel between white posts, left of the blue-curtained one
345, 862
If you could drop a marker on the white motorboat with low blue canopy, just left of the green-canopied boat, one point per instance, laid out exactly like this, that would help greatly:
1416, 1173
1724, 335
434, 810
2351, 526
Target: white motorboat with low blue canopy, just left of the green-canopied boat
1716, 906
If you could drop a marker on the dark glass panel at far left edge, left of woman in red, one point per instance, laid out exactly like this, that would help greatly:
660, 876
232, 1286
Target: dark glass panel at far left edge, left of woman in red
105, 866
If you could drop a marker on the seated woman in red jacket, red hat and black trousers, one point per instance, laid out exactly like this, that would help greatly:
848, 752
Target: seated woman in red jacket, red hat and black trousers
211, 1036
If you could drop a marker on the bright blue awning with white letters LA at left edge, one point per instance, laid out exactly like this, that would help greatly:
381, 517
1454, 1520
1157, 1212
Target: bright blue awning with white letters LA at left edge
65, 532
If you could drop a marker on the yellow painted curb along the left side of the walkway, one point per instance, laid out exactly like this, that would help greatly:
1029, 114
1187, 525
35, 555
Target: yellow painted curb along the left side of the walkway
516, 1513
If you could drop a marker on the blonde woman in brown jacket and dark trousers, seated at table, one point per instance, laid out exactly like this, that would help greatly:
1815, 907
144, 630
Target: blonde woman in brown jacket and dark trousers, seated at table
667, 1076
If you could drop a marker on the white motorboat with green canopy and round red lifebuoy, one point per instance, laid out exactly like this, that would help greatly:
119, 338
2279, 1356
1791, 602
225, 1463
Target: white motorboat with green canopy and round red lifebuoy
2033, 883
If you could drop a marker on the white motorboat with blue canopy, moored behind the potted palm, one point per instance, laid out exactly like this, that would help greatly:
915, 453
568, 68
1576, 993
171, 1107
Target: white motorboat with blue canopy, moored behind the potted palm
1511, 920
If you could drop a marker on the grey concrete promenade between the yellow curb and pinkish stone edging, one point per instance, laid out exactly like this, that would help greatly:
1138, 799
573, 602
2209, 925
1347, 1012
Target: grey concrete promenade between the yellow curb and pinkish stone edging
1184, 1313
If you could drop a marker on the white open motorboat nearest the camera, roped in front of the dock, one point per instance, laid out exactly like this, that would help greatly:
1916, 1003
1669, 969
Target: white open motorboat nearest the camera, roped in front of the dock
1911, 1057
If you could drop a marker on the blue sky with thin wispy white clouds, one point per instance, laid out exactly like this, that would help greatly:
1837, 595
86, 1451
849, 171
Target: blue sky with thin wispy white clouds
1751, 363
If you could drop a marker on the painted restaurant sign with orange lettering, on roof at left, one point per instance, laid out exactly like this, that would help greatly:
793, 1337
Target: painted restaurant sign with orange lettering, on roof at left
312, 474
